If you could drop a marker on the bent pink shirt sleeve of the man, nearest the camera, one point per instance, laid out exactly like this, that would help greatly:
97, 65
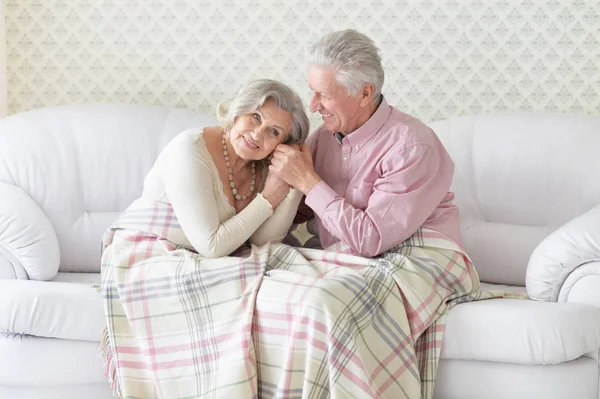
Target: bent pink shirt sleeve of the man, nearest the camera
414, 181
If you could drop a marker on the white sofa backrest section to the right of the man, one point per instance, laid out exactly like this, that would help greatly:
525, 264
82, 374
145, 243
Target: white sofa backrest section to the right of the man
517, 178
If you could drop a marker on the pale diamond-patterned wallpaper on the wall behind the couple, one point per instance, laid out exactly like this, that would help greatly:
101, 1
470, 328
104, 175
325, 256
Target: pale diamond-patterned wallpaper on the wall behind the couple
441, 58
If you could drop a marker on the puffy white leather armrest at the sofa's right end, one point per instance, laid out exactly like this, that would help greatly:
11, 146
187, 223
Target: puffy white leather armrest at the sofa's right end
560, 255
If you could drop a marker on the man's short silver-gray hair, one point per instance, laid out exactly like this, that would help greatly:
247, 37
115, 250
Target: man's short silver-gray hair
353, 57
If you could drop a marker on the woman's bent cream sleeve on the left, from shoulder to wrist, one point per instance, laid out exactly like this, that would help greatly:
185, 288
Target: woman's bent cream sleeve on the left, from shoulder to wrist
187, 178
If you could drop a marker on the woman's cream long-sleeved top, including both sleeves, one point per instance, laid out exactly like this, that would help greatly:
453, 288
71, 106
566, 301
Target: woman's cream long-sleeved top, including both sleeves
185, 176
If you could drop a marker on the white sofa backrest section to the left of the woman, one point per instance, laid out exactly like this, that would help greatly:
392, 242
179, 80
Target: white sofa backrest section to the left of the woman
84, 164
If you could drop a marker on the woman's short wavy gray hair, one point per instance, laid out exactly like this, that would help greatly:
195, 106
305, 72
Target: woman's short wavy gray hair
253, 95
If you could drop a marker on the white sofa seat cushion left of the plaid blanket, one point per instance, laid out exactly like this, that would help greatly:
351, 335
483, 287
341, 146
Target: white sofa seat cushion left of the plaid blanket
68, 307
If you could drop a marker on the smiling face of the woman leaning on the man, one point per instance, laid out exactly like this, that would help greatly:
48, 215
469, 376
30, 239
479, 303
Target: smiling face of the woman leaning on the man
254, 136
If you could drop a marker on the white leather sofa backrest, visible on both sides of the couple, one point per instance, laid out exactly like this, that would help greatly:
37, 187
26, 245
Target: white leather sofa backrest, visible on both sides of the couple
518, 177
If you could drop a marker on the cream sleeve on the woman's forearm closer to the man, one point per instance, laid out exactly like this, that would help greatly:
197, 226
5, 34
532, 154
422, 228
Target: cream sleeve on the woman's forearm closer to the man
276, 227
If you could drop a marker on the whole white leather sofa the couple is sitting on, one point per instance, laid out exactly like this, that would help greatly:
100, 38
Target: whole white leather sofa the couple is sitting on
527, 187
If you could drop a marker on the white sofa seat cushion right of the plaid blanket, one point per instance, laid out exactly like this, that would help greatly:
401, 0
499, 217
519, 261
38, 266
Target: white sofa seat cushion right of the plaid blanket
521, 331
